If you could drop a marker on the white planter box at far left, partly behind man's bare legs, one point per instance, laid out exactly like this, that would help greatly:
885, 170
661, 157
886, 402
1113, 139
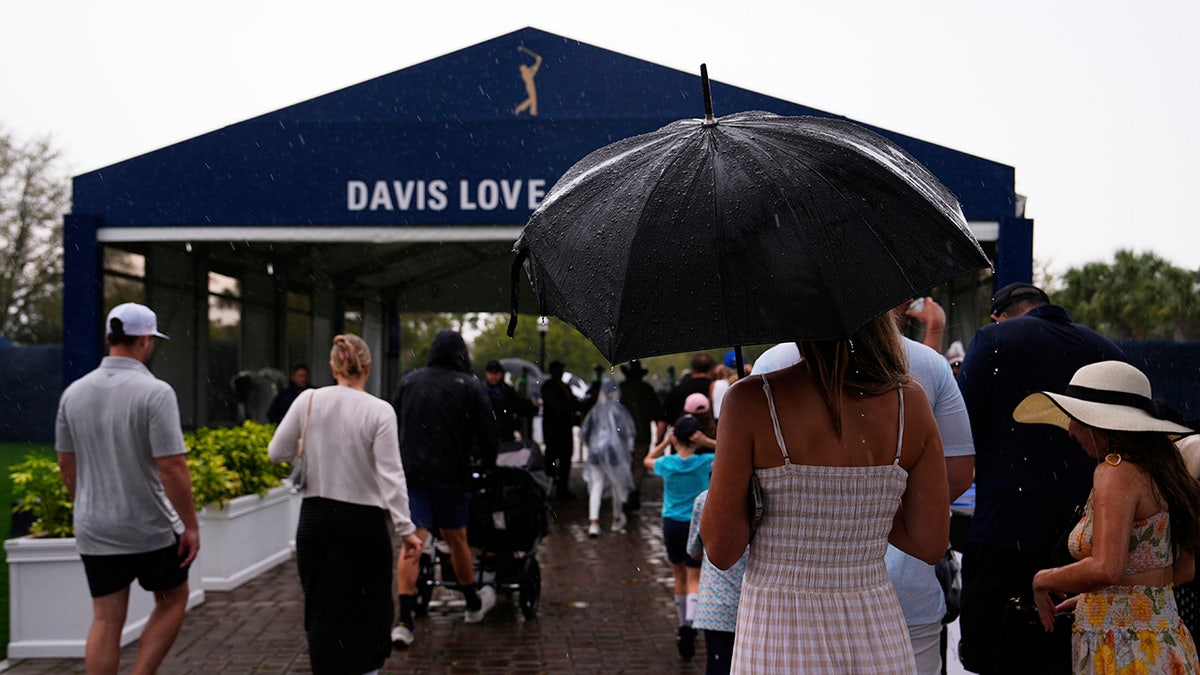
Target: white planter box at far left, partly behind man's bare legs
50, 606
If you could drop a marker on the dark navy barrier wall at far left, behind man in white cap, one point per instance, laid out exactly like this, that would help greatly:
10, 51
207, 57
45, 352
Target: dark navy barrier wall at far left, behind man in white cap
33, 383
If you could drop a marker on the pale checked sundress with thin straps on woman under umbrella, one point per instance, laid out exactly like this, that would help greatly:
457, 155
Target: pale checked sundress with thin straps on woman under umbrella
817, 596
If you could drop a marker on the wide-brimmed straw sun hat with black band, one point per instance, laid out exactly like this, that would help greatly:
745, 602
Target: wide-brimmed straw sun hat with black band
1111, 396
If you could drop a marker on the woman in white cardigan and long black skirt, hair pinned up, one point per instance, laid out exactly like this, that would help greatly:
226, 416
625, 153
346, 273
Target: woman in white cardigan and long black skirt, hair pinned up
355, 510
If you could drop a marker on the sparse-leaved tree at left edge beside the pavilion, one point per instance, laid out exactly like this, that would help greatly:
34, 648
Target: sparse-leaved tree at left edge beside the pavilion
34, 195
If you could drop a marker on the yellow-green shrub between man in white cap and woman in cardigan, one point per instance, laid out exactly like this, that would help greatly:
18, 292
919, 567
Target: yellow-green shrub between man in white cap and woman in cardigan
232, 462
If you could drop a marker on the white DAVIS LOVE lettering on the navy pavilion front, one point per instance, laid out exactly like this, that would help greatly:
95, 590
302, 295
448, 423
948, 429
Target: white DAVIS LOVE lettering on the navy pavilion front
421, 195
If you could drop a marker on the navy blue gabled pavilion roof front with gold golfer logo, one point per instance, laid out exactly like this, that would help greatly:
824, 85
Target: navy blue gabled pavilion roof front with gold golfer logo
443, 144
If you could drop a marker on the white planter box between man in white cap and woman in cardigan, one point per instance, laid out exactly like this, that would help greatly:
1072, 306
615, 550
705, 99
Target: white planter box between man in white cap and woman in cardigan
247, 537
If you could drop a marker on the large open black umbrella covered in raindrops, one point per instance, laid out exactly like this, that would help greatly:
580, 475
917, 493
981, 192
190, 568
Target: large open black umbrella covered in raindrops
745, 230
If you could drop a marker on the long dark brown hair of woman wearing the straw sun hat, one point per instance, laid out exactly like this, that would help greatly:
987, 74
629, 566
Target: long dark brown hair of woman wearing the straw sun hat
1155, 453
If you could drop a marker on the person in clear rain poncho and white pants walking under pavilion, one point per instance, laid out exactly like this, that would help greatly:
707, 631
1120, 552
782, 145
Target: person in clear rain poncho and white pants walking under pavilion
608, 433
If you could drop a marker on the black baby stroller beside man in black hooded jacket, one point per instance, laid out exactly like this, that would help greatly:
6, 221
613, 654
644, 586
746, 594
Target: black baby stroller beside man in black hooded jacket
509, 516
